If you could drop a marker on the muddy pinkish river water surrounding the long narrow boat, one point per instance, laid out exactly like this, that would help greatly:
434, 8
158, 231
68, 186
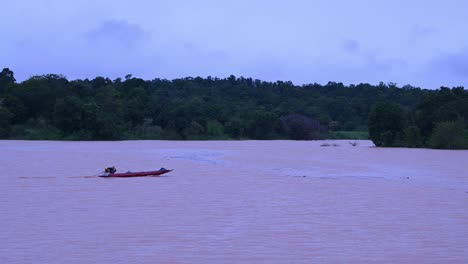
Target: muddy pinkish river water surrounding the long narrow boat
232, 201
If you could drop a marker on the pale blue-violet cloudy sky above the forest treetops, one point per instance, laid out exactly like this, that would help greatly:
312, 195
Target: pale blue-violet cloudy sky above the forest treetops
423, 43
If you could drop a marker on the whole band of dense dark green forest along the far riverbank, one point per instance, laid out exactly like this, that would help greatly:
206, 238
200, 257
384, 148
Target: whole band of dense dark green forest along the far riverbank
52, 107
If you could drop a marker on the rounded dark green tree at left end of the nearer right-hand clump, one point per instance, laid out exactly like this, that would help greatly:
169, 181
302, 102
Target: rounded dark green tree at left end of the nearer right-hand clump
386, 125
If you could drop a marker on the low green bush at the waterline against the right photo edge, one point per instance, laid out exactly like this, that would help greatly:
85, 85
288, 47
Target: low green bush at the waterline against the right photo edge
449, 135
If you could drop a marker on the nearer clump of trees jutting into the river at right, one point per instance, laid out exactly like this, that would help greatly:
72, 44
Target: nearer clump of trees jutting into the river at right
438, 121
